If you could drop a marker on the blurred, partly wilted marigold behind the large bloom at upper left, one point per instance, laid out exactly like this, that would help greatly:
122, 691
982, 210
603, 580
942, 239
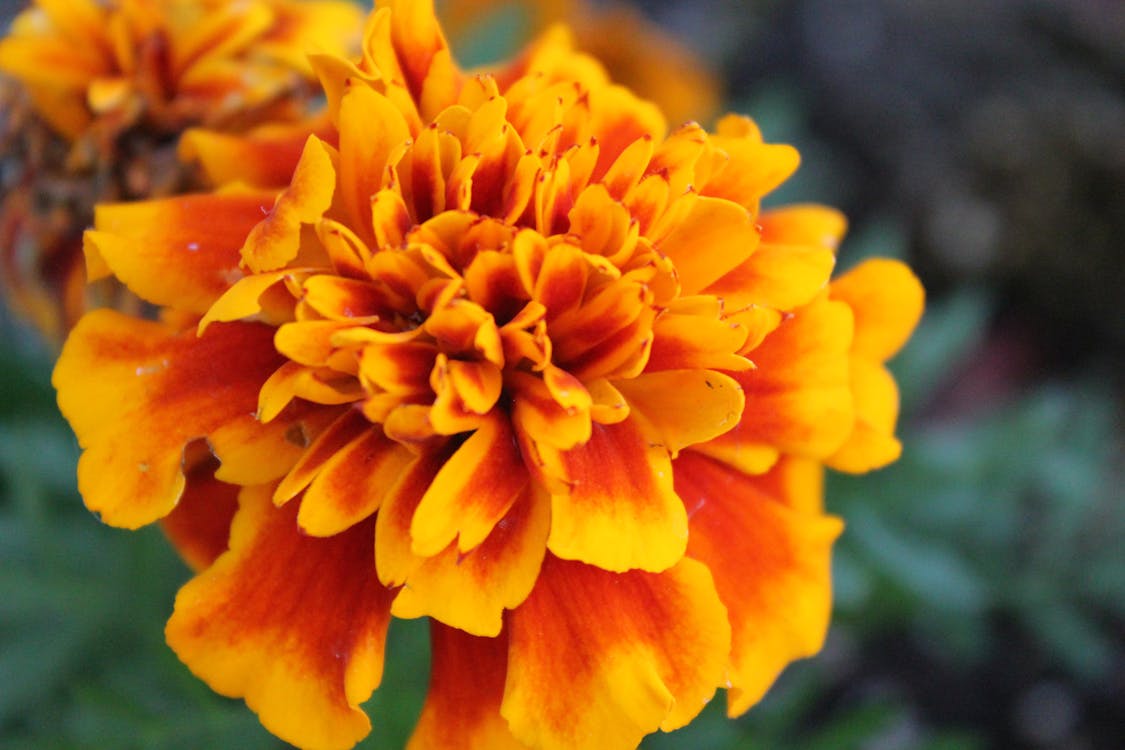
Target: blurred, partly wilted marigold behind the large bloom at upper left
96, 95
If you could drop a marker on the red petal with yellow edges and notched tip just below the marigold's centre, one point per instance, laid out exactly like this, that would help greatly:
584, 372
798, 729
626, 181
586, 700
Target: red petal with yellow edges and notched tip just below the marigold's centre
472, 493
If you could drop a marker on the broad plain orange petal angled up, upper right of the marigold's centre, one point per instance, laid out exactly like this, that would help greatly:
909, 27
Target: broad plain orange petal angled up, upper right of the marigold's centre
715, 238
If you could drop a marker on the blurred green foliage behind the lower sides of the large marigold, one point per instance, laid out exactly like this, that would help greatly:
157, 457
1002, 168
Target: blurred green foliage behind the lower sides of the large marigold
980, 584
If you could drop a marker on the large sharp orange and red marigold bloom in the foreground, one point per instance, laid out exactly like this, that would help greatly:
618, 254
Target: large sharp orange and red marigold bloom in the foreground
506, 354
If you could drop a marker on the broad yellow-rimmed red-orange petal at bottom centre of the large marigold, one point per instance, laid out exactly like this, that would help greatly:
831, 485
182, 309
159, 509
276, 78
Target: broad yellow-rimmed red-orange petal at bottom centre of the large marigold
637, 652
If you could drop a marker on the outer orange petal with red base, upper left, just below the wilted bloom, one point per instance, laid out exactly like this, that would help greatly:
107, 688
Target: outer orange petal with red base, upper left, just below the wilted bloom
181, 252
